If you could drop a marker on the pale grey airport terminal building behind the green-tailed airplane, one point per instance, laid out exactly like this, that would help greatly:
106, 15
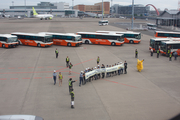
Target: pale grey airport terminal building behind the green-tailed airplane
58, 9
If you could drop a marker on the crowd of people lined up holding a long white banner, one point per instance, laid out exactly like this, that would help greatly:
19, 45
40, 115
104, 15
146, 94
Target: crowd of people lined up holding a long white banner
83, 80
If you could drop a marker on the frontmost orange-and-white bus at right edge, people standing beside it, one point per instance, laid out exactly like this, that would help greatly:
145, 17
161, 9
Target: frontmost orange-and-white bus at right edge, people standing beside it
170, 45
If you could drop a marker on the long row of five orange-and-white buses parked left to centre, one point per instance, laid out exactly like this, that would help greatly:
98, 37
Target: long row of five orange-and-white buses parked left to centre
45, 39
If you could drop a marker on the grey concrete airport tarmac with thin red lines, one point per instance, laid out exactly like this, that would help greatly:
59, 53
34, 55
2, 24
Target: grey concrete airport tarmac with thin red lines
26, 84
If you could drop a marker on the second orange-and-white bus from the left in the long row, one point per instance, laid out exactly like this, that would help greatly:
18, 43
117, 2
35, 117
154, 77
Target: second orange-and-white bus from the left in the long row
33, 39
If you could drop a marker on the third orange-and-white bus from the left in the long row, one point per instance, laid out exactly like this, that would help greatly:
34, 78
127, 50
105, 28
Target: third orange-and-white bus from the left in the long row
65, 39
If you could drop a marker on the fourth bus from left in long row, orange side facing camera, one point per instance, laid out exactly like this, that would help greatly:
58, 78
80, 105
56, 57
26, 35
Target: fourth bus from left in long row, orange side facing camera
101, 38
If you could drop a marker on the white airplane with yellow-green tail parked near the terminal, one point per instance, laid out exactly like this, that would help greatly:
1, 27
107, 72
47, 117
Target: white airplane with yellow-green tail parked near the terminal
42, 16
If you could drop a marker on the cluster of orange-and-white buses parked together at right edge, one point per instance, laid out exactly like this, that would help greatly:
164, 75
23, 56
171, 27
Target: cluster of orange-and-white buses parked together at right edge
166, 42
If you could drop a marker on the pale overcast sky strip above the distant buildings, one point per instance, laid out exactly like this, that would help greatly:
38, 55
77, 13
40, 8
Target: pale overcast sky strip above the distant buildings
162, 4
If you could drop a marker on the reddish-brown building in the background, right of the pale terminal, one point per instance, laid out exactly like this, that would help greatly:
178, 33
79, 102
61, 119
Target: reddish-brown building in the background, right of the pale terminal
96, 8
